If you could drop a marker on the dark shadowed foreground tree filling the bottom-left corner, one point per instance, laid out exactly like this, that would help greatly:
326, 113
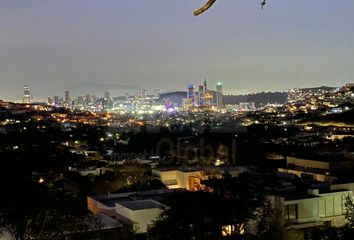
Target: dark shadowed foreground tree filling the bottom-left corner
35, 212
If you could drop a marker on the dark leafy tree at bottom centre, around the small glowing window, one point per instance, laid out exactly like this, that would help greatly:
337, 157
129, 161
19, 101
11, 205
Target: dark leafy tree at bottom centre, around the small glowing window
230, 205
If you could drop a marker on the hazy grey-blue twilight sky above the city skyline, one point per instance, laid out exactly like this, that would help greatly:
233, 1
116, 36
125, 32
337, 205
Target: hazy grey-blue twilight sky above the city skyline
123, 45
